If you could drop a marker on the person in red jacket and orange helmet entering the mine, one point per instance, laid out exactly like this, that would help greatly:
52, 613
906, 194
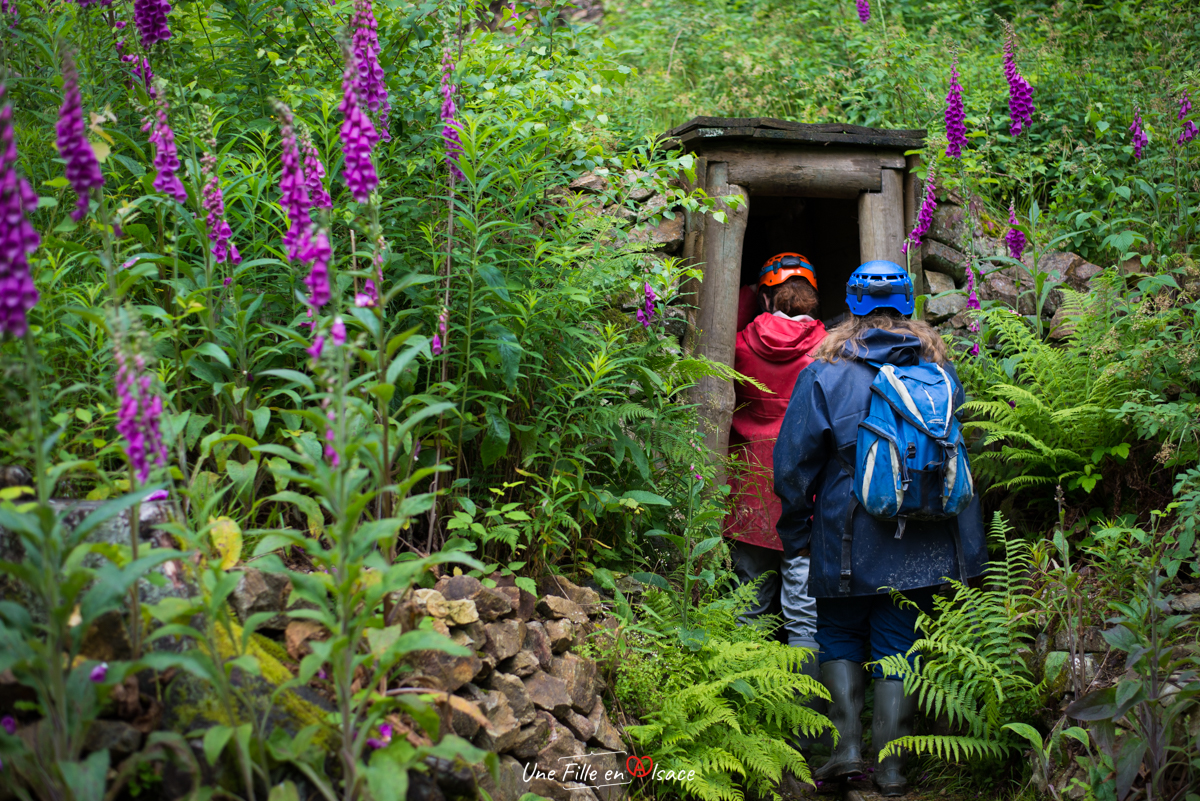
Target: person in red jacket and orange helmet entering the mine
772, 350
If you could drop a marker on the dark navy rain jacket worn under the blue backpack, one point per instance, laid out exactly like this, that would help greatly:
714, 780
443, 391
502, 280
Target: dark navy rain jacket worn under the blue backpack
830, 401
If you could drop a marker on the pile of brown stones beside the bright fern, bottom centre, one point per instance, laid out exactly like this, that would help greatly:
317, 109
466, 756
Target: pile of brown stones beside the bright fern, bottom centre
539, 703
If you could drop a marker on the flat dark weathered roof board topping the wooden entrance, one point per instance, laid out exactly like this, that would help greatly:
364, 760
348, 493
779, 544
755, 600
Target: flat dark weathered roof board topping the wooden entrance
700, 130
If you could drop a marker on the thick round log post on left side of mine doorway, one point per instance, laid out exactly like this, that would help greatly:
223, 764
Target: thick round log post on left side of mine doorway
718, 315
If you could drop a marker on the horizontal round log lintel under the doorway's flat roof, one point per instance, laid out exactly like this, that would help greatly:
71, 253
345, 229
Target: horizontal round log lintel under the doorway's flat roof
777, 170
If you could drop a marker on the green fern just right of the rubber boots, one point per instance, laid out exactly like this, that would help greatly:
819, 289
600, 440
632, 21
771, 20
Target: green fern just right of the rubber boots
969, 665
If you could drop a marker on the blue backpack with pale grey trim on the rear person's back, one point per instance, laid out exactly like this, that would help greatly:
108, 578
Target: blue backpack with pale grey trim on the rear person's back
911, 462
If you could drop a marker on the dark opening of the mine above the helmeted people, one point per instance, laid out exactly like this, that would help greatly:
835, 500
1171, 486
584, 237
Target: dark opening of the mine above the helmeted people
823, 230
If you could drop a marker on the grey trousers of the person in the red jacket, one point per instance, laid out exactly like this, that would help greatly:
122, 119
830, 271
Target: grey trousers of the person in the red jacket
785, 591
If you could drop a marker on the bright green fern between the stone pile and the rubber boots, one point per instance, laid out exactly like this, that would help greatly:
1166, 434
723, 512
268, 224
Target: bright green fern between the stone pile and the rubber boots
718, 697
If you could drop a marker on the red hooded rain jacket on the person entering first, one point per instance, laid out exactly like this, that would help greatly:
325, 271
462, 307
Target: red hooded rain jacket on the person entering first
773, 351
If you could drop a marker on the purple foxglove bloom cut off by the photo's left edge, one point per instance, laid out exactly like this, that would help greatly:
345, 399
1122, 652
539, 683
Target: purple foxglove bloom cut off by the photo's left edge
19, 239
